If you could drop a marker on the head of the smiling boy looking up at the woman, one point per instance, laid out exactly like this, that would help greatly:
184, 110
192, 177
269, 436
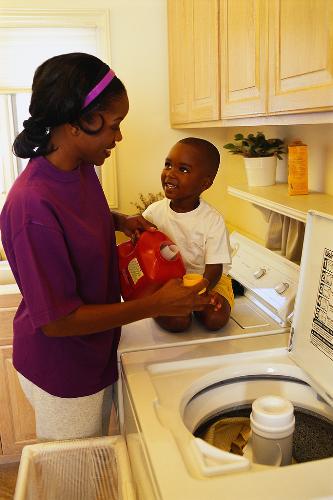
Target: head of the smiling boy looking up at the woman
190, 169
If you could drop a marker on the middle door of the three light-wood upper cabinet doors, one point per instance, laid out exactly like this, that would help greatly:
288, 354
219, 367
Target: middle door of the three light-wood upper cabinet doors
244, 39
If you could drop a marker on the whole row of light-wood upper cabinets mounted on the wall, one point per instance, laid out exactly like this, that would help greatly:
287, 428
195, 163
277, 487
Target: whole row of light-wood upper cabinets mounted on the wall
275, 58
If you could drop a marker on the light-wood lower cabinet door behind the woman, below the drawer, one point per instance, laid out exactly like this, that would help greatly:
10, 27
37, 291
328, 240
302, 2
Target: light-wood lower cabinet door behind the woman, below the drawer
17, 421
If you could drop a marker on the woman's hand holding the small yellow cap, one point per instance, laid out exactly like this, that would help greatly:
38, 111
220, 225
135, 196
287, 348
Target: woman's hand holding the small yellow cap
175, 299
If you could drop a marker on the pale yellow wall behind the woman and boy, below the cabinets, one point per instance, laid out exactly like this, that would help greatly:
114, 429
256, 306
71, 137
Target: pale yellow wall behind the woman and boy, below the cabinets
139, 56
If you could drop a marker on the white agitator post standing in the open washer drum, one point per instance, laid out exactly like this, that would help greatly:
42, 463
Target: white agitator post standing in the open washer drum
272, 423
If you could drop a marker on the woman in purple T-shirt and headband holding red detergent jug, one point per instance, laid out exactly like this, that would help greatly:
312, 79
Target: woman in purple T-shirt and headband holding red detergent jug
59, 237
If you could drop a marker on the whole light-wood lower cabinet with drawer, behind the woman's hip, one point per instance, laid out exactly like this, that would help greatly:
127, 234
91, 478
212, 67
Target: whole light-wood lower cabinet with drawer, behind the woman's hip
17, 421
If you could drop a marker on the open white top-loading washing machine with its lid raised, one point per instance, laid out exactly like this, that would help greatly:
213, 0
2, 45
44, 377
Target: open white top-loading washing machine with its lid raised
170, 393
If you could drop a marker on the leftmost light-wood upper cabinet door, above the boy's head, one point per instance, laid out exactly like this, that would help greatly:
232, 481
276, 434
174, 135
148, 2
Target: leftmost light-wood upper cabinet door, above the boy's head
194, 60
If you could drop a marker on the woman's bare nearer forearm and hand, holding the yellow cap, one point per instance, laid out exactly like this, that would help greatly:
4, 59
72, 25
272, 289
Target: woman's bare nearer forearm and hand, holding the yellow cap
173, 299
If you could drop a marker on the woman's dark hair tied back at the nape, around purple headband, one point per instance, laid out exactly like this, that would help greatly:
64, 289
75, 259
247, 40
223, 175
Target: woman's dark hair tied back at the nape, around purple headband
59, 88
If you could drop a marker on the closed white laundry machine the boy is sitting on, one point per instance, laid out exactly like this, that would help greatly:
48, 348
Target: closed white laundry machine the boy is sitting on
269, 283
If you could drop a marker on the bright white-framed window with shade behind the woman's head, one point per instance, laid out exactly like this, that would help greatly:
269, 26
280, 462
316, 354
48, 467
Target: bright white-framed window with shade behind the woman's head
27, 38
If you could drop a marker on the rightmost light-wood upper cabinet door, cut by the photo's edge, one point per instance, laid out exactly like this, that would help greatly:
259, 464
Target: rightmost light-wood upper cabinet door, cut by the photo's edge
301, 55
